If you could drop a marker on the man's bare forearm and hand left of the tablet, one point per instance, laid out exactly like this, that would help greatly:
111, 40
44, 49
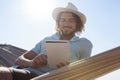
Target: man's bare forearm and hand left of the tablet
30, 59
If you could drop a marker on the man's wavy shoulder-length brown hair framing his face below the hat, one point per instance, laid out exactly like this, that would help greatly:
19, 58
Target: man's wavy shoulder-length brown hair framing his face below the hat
79, 26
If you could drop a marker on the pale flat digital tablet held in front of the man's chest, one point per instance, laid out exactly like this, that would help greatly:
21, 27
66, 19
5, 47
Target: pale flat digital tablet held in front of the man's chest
57, 52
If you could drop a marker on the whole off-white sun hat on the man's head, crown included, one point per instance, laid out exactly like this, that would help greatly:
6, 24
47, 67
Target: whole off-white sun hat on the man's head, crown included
69, 8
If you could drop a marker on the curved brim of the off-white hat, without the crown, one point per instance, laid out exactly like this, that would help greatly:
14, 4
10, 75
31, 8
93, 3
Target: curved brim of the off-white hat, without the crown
59, 10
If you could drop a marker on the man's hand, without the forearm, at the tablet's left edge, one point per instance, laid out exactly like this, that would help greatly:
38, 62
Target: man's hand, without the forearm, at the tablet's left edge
39, 61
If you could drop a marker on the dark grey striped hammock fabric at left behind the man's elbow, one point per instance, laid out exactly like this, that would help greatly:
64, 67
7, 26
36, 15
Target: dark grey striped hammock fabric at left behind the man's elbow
8, 54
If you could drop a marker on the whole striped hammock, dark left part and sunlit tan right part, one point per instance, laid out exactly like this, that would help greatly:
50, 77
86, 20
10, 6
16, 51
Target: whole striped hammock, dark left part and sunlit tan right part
85, 69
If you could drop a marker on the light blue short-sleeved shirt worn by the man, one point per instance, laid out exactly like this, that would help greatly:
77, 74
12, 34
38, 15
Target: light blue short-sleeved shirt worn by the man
80, 48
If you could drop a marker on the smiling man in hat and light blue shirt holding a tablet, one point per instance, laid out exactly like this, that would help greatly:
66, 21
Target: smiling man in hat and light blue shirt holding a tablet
69, 23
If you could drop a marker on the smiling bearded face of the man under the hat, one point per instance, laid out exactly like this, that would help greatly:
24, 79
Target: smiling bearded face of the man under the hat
67, 24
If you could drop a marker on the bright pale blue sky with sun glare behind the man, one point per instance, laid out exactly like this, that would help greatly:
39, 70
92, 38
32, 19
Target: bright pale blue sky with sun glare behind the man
23, 23
